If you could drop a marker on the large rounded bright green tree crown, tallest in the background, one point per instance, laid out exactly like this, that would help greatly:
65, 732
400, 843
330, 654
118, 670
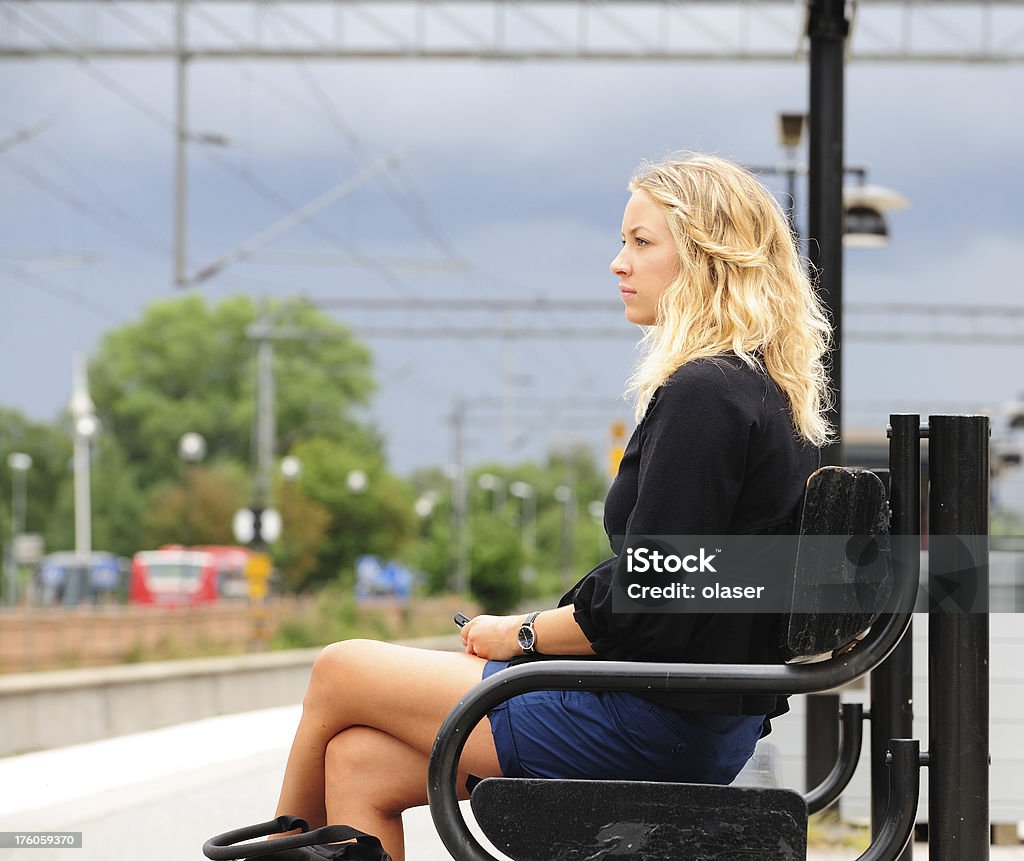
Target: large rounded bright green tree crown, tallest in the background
189, 367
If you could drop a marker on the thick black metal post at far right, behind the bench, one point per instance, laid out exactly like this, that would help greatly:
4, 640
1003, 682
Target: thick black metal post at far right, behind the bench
958, 638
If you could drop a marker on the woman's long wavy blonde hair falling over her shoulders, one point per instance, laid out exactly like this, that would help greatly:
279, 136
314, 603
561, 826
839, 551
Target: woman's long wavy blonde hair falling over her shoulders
742, 288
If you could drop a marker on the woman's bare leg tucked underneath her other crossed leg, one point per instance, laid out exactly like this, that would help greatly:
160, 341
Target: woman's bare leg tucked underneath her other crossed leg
372, 778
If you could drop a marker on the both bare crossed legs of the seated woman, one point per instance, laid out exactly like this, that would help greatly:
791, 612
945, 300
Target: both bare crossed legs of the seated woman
369, 720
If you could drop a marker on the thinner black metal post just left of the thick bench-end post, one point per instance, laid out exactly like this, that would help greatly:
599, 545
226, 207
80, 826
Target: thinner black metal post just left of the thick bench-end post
892, 682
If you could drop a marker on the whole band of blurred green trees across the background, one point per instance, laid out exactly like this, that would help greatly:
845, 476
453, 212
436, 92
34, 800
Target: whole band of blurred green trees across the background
190, 367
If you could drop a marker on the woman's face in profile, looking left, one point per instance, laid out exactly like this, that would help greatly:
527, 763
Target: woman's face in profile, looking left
649, 261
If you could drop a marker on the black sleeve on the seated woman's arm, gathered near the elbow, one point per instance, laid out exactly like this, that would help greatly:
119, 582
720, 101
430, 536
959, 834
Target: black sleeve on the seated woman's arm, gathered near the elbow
694, 448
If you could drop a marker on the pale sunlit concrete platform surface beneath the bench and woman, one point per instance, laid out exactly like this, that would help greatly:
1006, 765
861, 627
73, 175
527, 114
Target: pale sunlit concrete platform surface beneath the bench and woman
159, 795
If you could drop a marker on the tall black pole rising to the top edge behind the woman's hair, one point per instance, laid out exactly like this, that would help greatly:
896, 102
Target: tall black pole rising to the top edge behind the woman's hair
828, 28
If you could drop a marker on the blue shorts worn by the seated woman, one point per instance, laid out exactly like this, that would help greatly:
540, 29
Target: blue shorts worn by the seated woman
612, 736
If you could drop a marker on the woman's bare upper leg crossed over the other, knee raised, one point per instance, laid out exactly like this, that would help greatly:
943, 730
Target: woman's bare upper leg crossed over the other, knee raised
403, 693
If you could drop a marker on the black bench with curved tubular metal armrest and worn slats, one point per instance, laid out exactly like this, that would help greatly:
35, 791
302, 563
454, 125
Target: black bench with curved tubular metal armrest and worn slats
541, 821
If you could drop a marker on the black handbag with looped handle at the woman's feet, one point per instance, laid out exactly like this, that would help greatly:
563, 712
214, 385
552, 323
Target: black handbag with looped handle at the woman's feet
318, 845
